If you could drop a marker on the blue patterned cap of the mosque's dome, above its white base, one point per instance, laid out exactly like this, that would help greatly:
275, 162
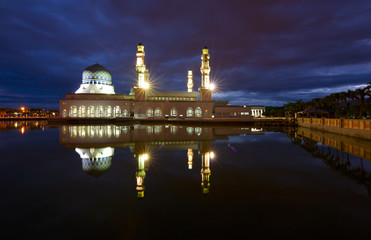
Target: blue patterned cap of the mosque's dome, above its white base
96, 73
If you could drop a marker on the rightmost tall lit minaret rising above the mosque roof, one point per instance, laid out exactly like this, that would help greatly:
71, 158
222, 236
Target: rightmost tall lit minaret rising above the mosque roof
205, 91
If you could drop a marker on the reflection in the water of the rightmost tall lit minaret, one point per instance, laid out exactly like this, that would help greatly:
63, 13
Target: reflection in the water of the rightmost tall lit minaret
206, 155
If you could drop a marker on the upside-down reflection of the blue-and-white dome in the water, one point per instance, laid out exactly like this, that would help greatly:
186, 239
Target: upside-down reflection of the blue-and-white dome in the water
95, 161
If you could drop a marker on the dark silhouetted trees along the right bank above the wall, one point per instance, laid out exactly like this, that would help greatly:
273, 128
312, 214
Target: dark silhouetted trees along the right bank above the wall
350, 104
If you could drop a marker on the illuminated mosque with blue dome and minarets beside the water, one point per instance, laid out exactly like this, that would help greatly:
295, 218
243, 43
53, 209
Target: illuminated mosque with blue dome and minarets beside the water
96, 97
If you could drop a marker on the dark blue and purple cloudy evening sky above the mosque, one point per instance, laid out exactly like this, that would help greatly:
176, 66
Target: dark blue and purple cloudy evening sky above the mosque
262, 52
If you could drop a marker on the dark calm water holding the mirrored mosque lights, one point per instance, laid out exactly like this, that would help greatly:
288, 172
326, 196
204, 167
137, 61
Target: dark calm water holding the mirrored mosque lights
139, 182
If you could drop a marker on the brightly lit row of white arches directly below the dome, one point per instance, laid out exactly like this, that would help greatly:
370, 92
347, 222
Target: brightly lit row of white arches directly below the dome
95, 111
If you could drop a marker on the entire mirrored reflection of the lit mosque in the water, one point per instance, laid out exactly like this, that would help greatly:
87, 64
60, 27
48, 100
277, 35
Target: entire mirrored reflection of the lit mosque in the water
96, 145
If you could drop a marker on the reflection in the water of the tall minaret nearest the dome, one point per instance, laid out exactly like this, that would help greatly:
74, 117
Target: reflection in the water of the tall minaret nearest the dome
143, 160
